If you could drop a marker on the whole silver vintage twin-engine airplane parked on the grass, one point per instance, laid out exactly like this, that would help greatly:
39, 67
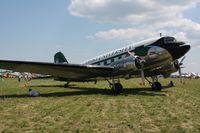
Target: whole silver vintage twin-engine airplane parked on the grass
150, 58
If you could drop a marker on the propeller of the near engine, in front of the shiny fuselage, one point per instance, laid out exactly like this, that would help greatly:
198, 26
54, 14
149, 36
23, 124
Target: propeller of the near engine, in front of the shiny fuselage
141, 63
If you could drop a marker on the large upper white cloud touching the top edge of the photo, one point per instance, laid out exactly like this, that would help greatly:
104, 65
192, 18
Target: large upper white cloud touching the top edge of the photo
129, 11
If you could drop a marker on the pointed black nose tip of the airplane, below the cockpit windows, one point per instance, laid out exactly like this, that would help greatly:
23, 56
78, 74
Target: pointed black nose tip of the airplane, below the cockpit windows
179, 51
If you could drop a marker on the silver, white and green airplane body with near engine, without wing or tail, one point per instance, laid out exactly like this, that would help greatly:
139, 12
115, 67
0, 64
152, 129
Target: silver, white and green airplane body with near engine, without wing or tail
158, 54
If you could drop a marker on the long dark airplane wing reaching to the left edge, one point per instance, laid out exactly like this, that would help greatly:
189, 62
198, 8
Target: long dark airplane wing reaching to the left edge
69, 71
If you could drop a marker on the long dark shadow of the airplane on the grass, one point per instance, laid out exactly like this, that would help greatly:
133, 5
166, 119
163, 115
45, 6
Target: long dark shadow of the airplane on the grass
76, 91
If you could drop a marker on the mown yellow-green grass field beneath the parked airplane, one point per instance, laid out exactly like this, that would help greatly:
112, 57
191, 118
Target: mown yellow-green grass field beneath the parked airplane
85, 107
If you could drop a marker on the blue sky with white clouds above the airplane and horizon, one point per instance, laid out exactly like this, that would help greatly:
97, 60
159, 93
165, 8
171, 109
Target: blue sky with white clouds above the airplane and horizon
34, 30
